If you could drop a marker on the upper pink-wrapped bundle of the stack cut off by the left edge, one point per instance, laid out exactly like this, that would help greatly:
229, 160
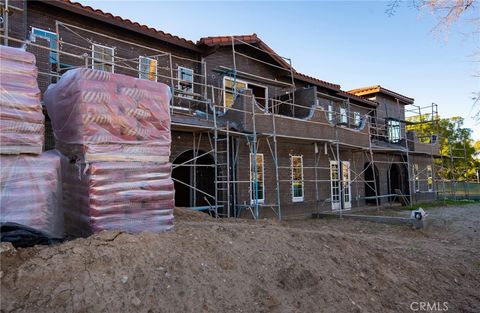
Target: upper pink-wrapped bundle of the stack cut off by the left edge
21, 117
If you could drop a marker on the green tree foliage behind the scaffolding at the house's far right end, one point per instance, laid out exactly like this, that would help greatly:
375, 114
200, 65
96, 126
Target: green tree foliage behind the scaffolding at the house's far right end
458, 150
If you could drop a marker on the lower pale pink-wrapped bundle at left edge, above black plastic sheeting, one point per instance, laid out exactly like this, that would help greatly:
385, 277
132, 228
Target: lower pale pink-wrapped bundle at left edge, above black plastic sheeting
31, 192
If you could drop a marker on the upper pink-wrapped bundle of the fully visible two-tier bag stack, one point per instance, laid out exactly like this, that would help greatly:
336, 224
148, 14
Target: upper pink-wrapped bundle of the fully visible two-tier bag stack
104, 112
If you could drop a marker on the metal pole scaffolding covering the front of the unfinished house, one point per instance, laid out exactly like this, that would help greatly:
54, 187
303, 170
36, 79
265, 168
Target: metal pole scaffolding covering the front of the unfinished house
206, 102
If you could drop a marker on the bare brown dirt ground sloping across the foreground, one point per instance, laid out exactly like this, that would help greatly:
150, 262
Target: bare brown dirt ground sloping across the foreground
209, 265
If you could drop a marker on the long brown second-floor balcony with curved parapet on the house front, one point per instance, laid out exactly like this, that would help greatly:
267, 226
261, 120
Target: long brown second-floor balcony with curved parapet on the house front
306, 121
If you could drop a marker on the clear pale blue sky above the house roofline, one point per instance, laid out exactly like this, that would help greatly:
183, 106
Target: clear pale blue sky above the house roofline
351, 43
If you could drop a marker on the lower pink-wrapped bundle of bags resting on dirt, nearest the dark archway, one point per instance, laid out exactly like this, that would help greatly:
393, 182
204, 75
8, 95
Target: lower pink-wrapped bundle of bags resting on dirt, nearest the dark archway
125, 196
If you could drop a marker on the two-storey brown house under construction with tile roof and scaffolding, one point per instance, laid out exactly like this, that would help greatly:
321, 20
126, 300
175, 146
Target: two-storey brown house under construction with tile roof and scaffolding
251, 136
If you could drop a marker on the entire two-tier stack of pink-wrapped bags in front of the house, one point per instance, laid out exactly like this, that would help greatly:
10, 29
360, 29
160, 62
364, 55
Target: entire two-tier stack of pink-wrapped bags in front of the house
114, 133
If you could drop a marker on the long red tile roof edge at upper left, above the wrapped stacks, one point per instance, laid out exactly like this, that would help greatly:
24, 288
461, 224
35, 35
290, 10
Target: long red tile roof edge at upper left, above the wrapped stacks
119, 21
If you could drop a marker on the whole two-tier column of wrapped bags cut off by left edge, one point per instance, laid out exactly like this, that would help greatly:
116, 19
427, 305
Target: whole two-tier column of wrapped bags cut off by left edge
30, 189
